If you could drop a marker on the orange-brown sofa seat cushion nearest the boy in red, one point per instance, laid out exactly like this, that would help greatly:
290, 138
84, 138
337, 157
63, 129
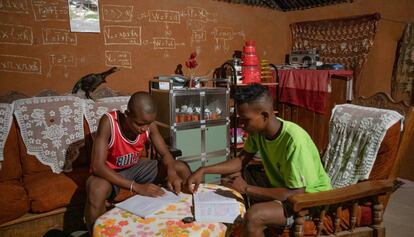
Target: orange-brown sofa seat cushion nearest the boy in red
48, 191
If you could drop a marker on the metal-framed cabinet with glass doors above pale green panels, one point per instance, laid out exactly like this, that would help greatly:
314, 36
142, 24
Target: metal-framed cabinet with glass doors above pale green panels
195, 121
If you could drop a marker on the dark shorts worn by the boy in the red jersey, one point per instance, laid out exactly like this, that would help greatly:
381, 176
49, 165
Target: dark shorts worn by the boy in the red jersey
145, 171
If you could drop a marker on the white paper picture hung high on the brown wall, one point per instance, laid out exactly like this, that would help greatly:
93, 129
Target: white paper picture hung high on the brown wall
84, 15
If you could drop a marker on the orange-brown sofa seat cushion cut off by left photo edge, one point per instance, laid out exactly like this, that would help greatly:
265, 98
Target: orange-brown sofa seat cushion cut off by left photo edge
14, 201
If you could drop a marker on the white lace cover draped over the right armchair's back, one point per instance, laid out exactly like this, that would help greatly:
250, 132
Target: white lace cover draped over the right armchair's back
355, 136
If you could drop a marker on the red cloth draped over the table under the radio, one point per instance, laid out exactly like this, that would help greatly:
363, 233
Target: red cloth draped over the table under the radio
307, 88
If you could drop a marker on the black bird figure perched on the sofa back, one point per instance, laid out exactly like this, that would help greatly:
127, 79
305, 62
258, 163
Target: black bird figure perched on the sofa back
90, 82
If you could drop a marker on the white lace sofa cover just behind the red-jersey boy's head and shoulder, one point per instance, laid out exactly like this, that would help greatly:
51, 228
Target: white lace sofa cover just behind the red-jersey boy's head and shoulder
95, 110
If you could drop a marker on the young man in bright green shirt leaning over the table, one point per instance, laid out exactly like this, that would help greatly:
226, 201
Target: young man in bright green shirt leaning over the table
290, 159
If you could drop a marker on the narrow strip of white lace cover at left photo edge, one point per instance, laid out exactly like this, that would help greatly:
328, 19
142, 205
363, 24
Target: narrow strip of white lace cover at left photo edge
6, 118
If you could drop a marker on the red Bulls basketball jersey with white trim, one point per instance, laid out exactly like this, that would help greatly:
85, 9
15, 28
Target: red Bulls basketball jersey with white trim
122, 152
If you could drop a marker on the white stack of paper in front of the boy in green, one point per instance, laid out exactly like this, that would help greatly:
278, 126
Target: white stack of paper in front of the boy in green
211, 206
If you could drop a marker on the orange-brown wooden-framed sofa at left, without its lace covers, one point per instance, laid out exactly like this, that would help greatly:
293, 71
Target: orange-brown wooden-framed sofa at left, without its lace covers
35, 200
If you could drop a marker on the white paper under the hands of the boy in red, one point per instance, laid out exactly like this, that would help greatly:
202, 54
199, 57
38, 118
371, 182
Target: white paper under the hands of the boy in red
144, 206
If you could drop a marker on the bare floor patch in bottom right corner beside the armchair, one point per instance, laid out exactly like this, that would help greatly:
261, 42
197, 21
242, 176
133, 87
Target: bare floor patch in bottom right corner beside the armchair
399, 215
